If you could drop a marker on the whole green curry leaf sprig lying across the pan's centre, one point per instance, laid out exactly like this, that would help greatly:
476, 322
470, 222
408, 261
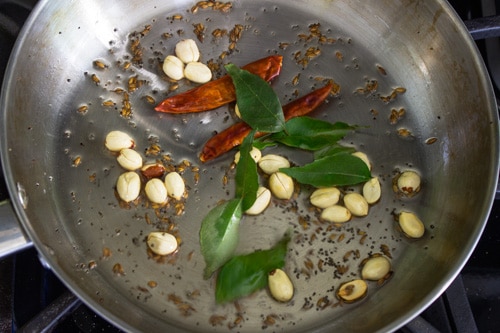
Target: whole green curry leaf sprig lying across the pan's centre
332, 164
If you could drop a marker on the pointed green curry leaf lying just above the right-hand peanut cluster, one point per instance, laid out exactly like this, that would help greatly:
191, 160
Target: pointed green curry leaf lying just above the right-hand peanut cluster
335, 170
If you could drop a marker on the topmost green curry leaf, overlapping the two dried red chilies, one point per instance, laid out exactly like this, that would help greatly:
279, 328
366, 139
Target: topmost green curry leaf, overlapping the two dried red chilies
258, 103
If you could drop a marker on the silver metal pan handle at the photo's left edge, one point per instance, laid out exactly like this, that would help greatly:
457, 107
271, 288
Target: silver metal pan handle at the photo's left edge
12, 237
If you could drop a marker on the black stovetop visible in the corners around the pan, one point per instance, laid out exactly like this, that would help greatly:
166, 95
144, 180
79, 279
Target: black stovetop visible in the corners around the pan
471, 303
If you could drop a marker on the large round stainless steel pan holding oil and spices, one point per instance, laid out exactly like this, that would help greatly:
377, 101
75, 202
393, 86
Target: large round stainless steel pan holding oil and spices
70, 211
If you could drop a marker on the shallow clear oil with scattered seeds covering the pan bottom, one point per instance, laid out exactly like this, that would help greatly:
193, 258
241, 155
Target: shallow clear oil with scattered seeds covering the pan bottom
122, 88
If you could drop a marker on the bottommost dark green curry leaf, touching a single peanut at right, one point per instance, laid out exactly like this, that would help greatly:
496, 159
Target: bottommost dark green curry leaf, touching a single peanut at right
242, 275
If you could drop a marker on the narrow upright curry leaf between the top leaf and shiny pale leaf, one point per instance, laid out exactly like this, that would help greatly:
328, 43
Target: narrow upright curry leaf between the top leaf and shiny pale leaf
247, 178
